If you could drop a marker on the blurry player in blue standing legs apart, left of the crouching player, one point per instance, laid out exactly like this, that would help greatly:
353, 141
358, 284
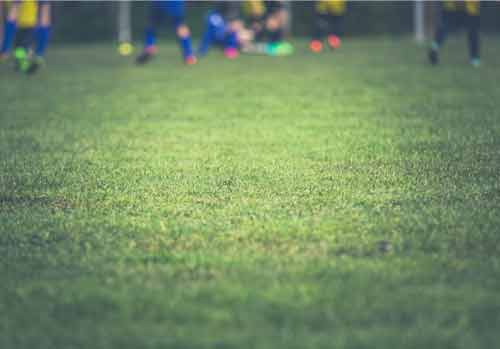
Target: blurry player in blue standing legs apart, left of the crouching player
174, 10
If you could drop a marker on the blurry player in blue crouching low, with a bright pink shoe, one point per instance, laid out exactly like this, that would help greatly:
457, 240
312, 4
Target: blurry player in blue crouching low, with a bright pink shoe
221, 28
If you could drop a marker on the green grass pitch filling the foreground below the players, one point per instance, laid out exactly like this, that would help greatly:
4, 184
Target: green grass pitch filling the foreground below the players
346, 200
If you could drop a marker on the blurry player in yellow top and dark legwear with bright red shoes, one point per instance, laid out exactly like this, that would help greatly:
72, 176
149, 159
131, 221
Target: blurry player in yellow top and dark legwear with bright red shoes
329, 18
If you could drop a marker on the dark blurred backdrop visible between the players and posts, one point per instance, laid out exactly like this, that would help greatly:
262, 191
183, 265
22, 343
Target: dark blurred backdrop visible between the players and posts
94, 21
